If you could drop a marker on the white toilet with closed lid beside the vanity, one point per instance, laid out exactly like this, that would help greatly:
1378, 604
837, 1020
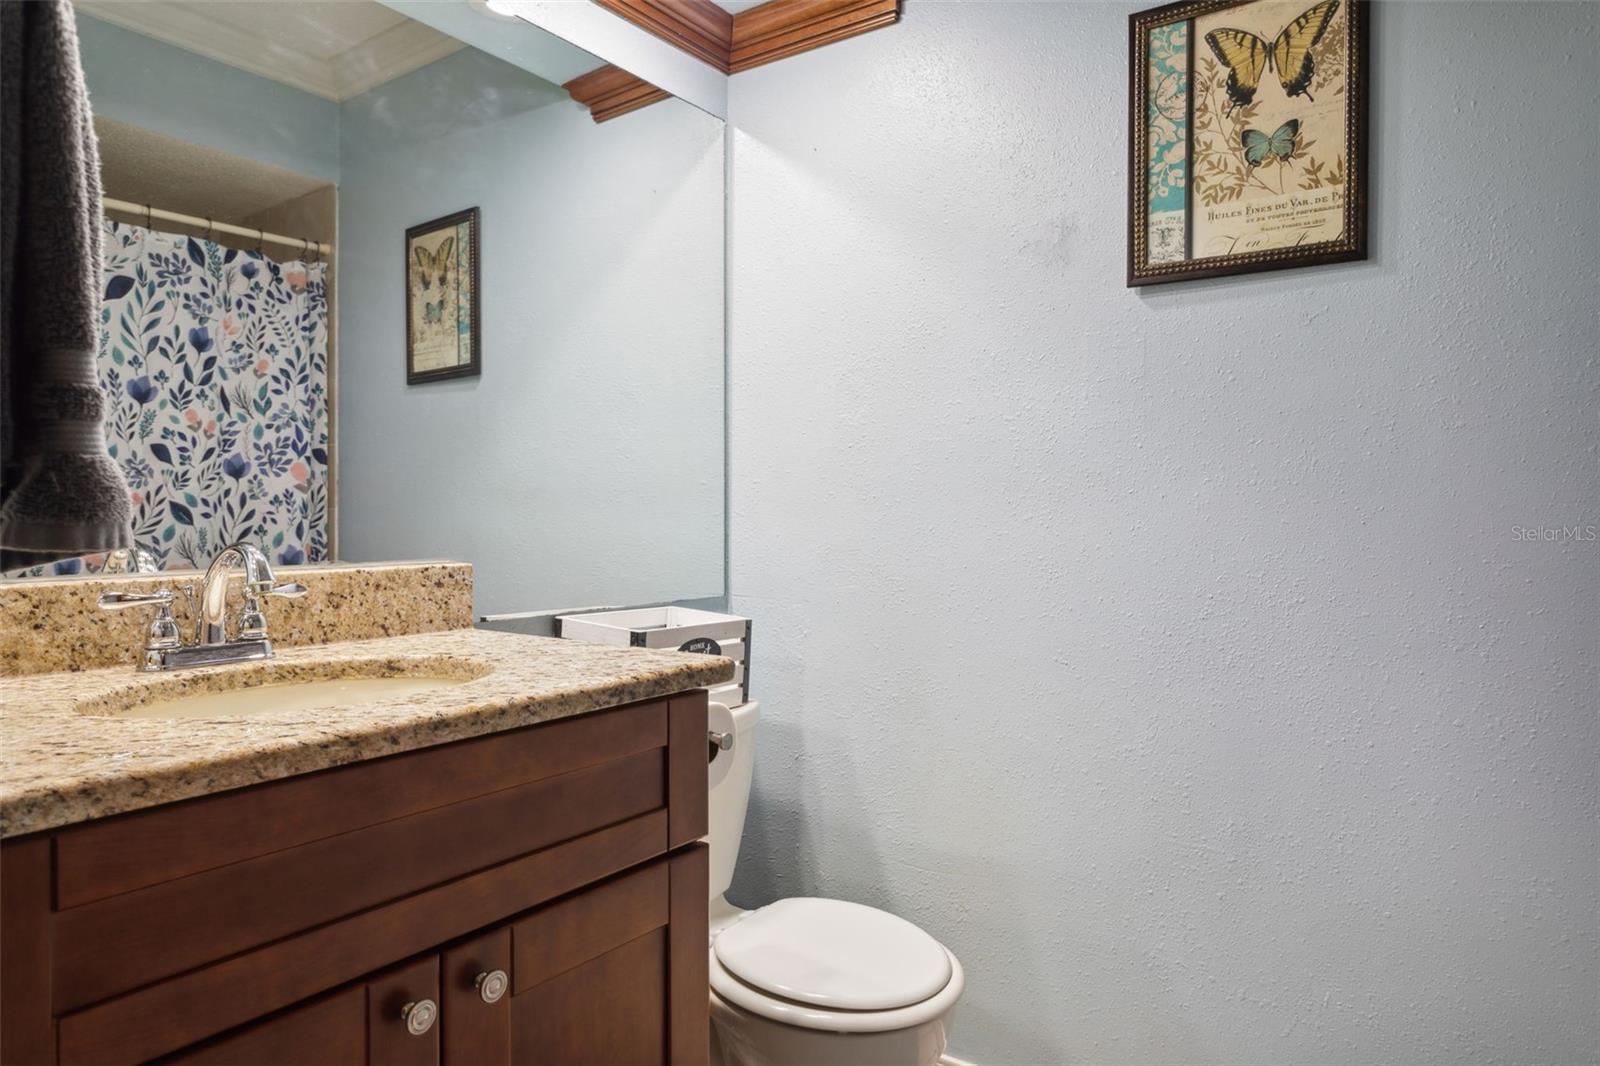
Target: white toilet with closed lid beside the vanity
812, 982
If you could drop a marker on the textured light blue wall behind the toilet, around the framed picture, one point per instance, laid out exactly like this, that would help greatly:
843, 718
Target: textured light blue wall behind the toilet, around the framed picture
1172, 655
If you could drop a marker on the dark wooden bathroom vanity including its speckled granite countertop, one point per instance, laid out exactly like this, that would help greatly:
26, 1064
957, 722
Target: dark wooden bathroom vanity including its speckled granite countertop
500, 868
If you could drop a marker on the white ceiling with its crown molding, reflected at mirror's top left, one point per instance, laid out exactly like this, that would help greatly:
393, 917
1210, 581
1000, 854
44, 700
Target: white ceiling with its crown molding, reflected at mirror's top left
332, 49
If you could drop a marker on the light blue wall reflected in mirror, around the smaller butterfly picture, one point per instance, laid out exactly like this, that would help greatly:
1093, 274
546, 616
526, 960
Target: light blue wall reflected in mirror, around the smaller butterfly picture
585, 467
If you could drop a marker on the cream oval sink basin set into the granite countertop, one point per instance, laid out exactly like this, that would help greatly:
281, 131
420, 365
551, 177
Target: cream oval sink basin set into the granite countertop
284, 687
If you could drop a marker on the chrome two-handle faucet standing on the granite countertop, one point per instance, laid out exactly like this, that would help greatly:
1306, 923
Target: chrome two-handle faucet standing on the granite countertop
164, 651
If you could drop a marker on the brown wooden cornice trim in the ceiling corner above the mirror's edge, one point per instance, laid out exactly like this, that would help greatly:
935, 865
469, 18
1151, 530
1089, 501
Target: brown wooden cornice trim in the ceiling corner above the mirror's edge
756, 36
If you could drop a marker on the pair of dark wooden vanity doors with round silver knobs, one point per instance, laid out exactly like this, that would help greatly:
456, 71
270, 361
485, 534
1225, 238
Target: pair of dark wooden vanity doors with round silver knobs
582, 980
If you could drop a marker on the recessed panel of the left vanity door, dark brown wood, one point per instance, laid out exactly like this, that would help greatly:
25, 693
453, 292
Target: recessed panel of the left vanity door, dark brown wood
330, 1032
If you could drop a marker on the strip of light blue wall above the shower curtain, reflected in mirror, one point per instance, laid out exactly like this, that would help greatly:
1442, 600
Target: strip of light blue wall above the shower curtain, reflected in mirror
154, 86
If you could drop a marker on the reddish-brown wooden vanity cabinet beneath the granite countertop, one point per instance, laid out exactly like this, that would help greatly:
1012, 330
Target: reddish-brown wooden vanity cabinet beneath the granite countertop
540, 892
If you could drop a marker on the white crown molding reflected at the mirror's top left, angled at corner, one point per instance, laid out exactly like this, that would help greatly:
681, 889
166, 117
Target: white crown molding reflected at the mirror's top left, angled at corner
393, 54
